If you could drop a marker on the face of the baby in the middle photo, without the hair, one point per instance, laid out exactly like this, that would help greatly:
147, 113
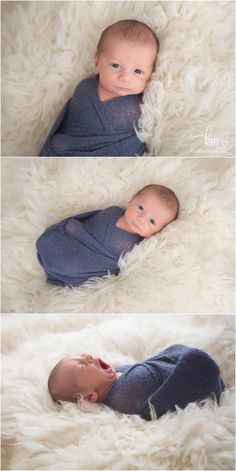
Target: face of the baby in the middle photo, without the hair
146, 214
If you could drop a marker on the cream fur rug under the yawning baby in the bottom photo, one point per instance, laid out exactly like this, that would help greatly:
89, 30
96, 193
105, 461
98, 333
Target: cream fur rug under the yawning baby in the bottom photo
38, 434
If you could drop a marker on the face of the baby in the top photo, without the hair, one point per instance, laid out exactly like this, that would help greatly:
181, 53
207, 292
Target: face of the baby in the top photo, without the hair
124, 67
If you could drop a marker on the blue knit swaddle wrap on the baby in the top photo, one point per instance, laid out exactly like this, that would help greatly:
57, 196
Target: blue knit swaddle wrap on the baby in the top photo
87, 126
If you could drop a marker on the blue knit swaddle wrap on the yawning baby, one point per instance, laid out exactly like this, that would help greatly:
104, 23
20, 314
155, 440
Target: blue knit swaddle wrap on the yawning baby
175, 377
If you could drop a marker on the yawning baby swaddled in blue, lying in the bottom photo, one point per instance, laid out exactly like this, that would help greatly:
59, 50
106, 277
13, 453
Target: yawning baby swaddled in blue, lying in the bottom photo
175, 377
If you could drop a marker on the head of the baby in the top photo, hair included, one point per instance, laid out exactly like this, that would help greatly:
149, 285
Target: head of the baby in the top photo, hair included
125, 58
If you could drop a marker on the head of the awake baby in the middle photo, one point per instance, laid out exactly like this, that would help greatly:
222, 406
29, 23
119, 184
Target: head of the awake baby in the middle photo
151, 209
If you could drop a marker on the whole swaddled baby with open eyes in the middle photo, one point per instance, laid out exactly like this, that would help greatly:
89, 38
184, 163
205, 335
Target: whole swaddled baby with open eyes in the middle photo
90, 244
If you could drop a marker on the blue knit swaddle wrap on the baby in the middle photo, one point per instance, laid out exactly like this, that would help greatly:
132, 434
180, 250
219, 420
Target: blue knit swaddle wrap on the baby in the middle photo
84, 246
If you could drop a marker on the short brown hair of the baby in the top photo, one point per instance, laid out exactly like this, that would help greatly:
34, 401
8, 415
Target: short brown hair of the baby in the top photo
132, 30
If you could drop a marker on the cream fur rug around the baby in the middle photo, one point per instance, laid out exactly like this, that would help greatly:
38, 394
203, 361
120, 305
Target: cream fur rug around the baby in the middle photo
186, 268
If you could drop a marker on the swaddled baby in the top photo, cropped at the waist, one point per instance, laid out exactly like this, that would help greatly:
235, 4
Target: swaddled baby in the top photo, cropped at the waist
101, 116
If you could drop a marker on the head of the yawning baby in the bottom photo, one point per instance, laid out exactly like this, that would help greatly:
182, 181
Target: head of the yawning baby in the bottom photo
84, 375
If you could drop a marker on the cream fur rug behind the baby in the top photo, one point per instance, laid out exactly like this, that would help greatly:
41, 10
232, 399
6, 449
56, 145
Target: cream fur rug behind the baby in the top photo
48, 47
